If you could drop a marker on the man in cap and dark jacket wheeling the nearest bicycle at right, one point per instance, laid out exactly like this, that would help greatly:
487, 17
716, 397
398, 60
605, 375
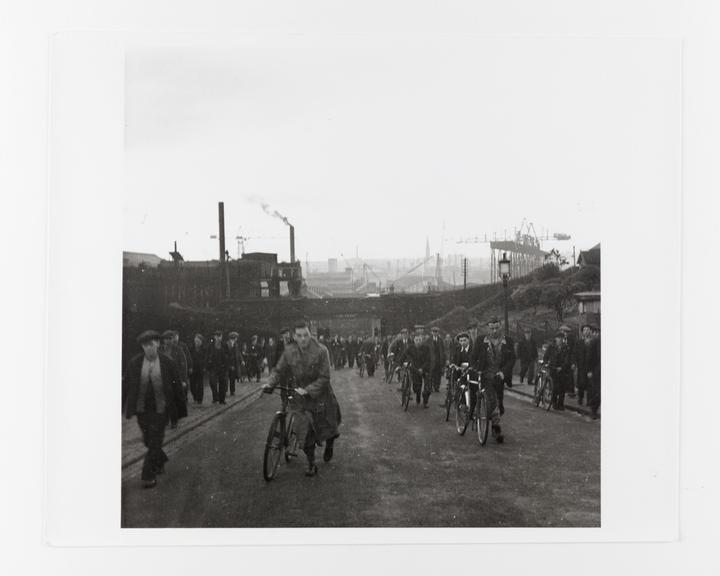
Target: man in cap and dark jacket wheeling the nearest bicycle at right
494, 358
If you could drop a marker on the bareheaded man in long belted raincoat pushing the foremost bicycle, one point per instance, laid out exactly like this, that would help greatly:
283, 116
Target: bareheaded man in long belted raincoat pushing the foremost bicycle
306, 363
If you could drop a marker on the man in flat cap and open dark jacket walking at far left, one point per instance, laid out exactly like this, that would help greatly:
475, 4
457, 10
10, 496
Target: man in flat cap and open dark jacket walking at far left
155, 396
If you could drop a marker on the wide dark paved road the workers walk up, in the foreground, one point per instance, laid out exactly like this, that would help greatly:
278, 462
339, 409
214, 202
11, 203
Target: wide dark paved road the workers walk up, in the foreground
391, 469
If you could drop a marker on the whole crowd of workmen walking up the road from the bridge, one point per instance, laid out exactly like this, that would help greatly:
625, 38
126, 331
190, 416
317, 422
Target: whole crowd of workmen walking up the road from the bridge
157, 381
